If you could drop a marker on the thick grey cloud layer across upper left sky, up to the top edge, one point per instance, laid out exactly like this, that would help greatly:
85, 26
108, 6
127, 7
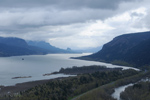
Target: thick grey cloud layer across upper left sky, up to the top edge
35, 13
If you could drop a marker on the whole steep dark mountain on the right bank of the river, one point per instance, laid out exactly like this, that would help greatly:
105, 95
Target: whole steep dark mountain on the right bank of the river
132, 49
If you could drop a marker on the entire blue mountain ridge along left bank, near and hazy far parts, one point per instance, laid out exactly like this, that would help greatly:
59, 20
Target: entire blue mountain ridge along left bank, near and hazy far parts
12, 46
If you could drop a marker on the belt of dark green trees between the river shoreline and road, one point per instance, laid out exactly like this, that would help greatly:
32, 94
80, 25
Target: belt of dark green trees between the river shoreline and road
66, 88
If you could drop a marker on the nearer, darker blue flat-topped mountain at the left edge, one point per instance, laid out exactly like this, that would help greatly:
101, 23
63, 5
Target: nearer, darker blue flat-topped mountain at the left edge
15, 46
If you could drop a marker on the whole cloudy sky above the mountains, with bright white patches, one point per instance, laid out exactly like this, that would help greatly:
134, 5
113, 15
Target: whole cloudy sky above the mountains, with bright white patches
77, 24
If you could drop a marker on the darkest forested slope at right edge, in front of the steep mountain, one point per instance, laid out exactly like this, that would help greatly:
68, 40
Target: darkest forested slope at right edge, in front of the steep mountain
140, 54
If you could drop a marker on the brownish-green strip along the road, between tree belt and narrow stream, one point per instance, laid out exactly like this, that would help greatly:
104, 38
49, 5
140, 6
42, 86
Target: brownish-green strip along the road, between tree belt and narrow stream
104, 92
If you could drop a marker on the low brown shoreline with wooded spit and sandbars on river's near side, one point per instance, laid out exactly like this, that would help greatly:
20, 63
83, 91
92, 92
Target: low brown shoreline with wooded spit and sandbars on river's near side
8, 90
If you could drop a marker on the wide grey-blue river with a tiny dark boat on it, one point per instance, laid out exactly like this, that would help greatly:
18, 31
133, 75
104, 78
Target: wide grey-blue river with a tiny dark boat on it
37, 65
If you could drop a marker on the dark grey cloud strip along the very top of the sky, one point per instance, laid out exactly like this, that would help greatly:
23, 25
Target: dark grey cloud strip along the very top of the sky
64, 4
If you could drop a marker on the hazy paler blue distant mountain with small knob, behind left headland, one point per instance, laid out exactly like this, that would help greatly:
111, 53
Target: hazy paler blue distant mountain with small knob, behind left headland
49, 47
